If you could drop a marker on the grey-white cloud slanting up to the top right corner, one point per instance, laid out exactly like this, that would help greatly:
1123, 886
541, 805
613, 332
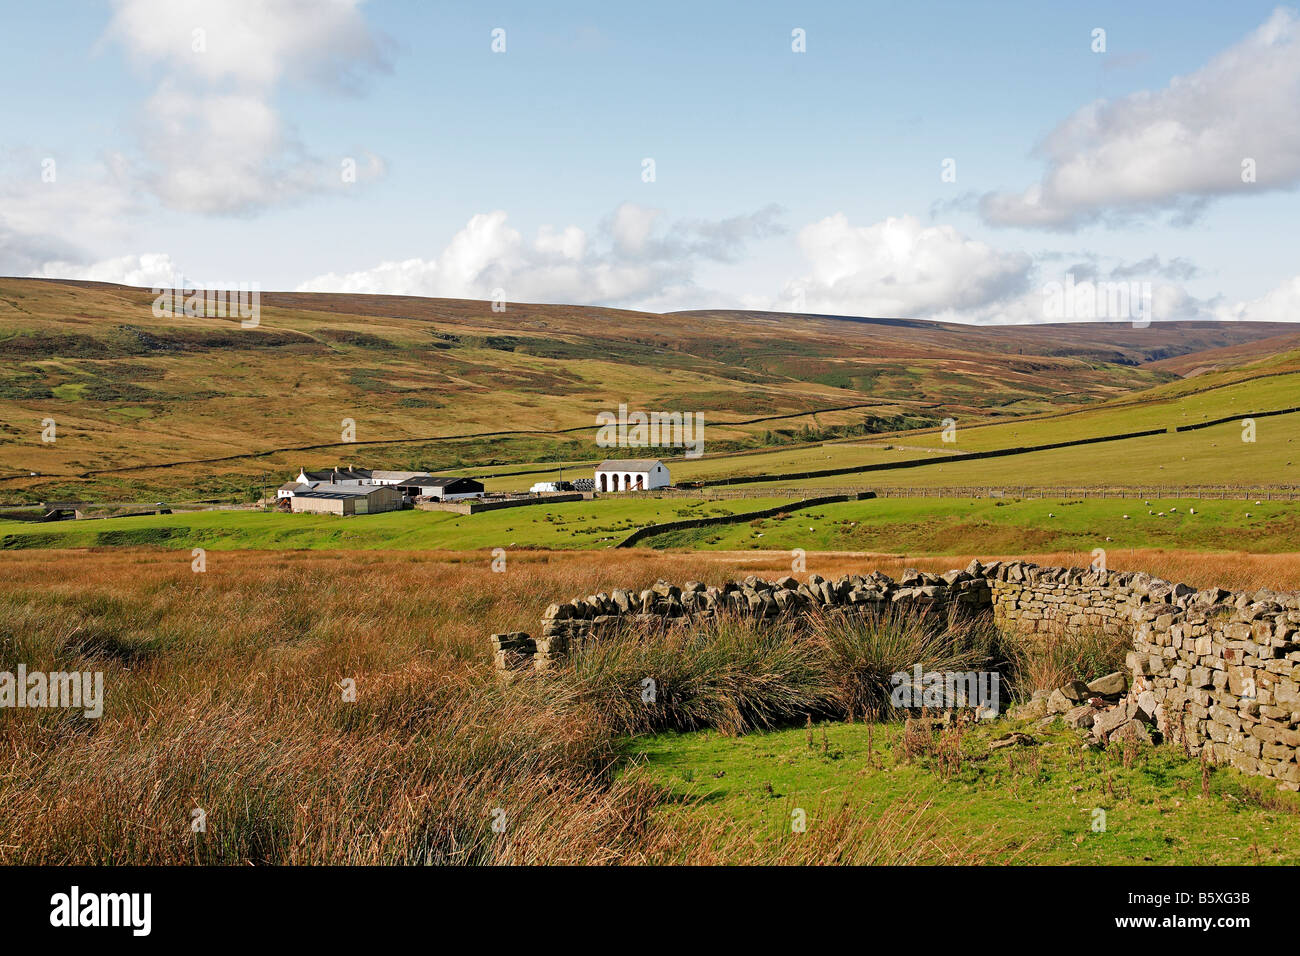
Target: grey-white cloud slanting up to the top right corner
1173, 150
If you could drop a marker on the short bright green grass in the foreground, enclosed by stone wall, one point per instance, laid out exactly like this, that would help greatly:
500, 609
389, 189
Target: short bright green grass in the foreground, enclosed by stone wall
1033, 806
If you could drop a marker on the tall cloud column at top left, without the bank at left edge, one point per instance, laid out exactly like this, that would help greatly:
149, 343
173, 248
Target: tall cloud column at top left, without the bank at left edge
213, 139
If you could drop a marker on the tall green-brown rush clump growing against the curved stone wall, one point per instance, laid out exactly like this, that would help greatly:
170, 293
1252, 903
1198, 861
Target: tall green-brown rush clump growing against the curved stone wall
736, 674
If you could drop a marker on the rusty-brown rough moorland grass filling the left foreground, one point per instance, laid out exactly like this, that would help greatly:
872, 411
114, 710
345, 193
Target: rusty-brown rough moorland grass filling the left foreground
226, 697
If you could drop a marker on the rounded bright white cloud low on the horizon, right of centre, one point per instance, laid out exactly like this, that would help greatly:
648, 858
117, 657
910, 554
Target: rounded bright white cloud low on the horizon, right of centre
902, 269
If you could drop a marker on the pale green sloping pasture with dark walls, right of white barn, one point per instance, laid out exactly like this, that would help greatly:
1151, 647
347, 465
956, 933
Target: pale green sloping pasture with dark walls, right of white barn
1188, 435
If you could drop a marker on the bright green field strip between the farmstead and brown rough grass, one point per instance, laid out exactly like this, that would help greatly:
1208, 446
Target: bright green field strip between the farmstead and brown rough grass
892, 526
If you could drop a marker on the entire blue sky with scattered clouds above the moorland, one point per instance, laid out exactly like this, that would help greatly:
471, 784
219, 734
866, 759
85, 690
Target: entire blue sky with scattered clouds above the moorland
935, 161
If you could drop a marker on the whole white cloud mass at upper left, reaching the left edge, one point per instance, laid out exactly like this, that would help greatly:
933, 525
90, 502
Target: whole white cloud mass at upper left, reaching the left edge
210, 137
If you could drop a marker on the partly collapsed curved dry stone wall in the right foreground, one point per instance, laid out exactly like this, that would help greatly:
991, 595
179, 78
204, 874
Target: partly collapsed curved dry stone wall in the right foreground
1216, 671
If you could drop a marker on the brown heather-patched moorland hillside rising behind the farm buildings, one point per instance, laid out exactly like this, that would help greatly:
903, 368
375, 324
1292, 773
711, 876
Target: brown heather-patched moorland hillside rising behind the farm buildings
443, 383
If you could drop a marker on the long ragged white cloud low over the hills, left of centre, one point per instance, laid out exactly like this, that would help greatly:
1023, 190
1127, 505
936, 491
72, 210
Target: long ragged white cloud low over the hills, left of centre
635, 258
